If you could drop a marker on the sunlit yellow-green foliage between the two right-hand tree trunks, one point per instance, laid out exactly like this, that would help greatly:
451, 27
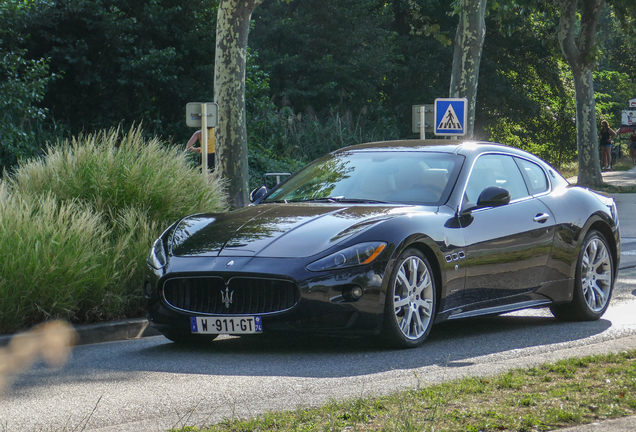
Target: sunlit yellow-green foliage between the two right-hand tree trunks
527, 99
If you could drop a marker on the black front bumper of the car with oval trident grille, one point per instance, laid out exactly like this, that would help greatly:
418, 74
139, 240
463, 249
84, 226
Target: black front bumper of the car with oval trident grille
321, 306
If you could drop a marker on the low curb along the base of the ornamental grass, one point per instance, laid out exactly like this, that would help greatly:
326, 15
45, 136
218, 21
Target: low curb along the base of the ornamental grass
111, 331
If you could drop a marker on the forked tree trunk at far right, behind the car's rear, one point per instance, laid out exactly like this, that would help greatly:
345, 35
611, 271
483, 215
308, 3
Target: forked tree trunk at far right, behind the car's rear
577, 50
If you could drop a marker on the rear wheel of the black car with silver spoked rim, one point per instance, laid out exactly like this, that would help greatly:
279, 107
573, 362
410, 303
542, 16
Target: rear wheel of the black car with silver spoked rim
594, 282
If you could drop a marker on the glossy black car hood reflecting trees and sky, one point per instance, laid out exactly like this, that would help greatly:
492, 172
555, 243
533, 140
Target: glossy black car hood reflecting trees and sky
276, 230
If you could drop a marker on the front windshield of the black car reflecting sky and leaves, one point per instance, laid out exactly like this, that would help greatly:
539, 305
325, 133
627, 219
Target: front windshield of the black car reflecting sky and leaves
404, 177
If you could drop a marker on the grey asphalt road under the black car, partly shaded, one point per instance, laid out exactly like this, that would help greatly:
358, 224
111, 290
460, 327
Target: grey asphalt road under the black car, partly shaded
151, 384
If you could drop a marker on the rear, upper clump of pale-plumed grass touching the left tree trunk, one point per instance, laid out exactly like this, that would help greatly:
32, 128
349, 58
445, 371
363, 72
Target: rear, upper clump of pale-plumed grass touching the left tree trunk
112, 173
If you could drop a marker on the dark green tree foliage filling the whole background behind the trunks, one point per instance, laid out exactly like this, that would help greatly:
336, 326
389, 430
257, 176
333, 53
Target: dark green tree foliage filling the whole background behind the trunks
321, 75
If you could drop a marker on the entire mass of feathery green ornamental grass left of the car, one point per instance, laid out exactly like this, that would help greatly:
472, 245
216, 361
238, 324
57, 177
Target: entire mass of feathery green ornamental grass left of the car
76, 225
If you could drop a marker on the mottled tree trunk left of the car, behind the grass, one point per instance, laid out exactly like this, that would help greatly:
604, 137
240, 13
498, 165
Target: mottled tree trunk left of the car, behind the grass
231, 161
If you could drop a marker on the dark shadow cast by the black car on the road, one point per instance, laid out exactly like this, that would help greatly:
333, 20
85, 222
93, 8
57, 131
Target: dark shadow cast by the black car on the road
449, 344
